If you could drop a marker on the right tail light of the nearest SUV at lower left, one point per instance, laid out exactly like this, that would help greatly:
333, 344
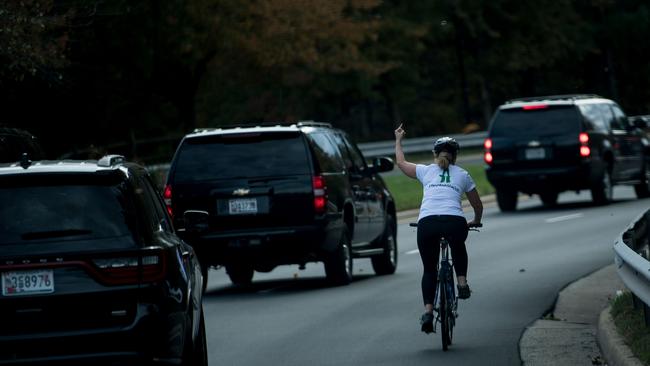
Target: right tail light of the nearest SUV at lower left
126, 270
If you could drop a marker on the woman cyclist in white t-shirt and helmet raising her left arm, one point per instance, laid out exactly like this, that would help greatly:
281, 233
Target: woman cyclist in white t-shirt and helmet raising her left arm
441, 214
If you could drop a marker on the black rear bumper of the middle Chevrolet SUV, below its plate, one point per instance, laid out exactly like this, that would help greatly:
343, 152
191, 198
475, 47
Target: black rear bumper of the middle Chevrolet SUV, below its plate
268, 247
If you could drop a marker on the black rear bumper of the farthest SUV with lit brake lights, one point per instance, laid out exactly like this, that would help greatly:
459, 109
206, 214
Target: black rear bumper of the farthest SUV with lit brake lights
533, 181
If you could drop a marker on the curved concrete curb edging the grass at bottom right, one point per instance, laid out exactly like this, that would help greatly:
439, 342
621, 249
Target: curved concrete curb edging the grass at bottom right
615, 351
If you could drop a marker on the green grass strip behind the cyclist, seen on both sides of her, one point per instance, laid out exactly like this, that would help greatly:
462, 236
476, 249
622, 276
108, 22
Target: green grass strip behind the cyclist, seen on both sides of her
408, 191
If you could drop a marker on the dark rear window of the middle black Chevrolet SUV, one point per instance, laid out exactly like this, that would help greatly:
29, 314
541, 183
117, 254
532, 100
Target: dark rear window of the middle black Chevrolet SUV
247, 155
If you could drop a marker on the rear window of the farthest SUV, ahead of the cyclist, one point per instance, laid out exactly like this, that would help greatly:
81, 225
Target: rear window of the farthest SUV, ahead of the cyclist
549, 121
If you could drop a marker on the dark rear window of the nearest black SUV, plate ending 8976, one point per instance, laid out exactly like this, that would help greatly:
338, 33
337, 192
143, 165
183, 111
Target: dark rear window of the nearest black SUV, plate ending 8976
63, 212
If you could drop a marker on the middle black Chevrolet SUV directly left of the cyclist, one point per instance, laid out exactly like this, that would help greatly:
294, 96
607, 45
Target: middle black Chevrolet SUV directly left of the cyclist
253, 198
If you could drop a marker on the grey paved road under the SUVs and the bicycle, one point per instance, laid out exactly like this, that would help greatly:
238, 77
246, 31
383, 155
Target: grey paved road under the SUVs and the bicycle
518, 263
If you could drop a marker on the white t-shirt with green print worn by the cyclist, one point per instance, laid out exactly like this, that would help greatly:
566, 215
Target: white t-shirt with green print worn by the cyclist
443, 190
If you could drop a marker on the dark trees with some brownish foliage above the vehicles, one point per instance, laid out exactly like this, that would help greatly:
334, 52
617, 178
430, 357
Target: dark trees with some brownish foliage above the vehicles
133, 76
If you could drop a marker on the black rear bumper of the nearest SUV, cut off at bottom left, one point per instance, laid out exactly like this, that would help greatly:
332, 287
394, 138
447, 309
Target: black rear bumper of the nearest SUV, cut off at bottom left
152, 338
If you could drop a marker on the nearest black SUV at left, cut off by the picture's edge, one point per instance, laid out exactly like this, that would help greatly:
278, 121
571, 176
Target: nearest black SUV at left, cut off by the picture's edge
92, 270
